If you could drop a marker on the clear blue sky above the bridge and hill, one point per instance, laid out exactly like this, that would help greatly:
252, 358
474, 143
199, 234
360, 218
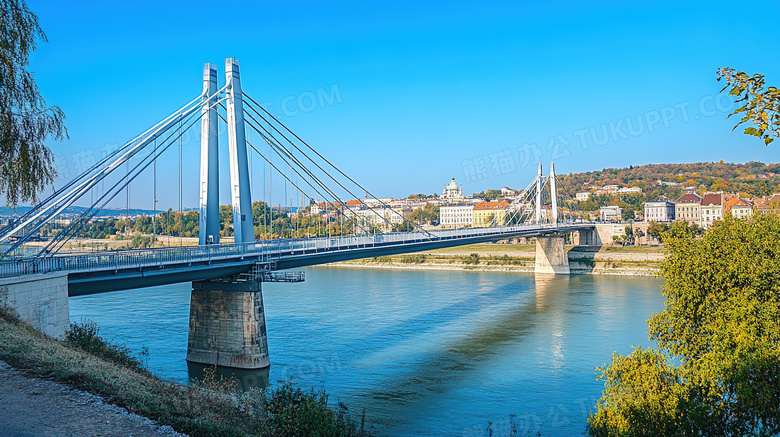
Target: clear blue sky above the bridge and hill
426, 89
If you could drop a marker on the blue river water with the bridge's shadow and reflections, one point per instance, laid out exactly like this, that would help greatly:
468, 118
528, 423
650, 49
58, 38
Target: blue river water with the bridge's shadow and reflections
423, 352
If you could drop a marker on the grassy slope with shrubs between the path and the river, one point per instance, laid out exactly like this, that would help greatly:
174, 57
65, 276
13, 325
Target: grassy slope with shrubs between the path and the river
88, 362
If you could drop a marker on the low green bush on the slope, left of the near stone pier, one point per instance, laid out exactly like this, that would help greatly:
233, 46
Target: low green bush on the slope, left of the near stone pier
85, 336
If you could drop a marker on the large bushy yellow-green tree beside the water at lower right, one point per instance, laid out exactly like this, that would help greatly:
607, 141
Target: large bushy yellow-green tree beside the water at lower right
718, 370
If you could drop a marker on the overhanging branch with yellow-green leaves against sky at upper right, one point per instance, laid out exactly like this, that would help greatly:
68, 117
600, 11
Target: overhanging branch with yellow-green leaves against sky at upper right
759, 106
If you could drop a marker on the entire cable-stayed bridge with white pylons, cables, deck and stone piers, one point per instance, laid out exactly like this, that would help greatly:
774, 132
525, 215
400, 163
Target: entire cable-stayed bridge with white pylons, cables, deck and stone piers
227, 277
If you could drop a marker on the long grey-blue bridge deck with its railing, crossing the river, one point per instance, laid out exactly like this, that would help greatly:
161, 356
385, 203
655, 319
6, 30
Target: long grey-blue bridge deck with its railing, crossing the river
120, 270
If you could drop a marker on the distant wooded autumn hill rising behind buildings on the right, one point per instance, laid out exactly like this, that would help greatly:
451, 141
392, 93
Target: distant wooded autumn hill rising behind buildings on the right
752, 179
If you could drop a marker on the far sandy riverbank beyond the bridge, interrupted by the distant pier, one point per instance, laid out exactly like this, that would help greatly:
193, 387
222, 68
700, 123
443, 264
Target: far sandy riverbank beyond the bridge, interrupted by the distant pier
610, 260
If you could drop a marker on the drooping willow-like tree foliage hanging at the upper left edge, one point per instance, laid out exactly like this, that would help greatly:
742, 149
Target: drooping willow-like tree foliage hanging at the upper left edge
26, 122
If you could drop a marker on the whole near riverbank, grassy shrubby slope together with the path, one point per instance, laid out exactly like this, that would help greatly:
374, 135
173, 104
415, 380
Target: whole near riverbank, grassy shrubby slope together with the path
213, 408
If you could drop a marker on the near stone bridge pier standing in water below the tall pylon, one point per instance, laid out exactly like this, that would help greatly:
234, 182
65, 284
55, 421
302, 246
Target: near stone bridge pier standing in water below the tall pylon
227, 325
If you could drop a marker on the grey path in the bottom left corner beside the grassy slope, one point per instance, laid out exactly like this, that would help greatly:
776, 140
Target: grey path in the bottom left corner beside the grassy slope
39, 407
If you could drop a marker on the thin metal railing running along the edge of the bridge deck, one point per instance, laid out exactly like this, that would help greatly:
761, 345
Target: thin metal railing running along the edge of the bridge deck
259, 251
